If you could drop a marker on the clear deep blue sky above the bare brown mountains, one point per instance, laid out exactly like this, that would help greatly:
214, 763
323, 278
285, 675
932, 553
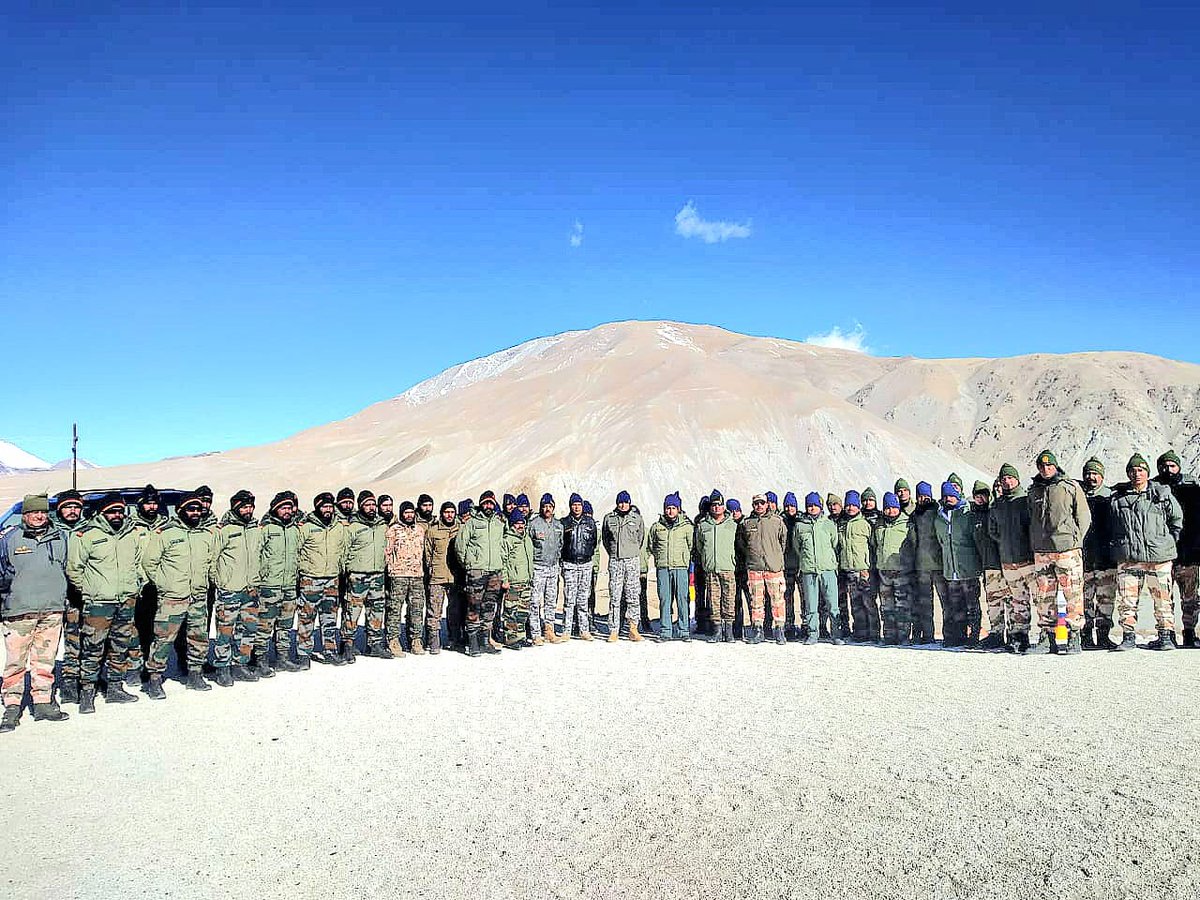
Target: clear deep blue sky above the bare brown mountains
224, 227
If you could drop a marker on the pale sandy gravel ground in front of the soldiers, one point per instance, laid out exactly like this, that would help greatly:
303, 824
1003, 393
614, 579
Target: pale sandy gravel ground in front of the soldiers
634, 771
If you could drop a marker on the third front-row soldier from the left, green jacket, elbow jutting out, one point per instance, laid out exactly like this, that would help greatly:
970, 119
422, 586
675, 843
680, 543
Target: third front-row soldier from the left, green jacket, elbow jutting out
178, 559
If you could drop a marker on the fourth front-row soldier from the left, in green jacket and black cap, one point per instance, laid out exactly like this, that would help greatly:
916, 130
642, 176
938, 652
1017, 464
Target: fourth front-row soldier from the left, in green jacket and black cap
237, 571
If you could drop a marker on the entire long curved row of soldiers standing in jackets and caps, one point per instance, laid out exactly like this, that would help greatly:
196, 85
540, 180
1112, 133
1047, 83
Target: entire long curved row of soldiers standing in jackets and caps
860, 571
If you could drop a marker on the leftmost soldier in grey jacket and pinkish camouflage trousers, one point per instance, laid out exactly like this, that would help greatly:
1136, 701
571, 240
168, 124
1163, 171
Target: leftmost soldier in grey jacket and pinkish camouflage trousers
33, 596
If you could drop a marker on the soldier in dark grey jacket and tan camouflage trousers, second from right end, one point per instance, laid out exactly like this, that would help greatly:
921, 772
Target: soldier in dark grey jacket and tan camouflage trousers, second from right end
1147, 526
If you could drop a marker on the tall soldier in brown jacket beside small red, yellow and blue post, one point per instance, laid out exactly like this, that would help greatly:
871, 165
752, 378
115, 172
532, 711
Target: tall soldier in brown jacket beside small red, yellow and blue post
1059, 520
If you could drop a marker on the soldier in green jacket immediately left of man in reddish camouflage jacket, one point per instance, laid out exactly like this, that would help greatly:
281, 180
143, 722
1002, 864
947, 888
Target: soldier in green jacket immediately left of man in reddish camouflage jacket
365, 563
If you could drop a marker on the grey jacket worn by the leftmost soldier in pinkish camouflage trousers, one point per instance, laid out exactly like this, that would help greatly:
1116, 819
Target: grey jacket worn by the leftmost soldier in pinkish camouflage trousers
33, 572
